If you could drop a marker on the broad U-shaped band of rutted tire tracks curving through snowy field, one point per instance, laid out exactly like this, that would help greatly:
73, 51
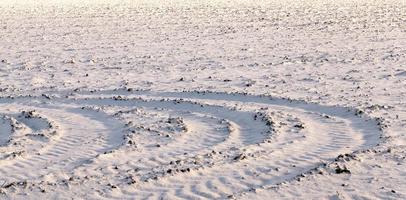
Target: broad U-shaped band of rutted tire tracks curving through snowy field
306, 135
